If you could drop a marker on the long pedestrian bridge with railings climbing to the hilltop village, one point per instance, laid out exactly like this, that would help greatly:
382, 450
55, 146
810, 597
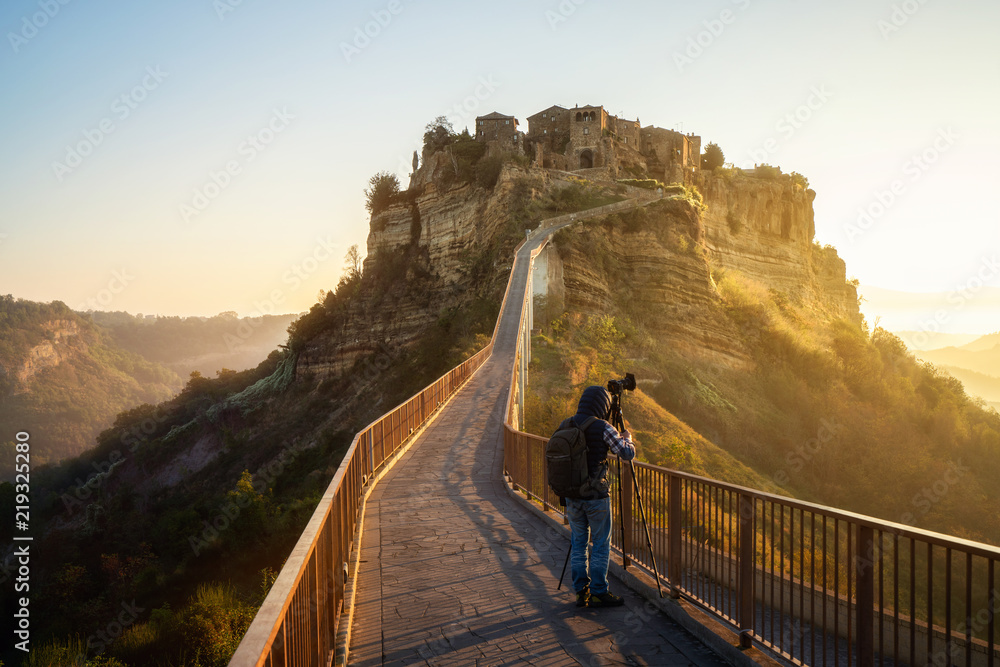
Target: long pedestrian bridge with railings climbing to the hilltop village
437, 543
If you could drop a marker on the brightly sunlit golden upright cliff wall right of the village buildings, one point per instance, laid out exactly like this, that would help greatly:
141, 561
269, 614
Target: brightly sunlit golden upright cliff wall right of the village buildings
764, 229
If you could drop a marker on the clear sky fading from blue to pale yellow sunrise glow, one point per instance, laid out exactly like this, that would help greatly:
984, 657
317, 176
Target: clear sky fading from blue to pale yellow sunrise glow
199, 156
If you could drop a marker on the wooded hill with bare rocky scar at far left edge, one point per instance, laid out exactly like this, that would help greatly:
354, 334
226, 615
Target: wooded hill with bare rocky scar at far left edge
63, 380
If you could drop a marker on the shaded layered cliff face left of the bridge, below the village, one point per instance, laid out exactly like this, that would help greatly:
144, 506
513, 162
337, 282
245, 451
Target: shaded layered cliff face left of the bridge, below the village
432, 249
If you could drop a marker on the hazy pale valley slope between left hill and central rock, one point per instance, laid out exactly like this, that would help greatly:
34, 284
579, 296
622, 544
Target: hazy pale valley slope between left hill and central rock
203, 344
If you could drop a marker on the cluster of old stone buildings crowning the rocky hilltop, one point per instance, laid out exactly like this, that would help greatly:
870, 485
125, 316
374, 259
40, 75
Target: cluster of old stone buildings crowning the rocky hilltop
591, 139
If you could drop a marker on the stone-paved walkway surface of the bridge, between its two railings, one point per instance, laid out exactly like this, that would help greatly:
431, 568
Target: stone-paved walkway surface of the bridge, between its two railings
454, 572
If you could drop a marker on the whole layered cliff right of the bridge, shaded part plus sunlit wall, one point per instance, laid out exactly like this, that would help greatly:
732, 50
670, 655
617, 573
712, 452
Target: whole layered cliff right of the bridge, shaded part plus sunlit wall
660, 269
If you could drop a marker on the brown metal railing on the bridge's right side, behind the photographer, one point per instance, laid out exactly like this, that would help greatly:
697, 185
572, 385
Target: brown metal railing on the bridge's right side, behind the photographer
814, 584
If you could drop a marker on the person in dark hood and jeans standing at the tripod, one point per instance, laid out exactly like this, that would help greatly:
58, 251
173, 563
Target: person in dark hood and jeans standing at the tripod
590, 516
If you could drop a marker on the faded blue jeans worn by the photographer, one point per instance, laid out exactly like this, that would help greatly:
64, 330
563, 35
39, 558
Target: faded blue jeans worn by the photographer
590, 520
